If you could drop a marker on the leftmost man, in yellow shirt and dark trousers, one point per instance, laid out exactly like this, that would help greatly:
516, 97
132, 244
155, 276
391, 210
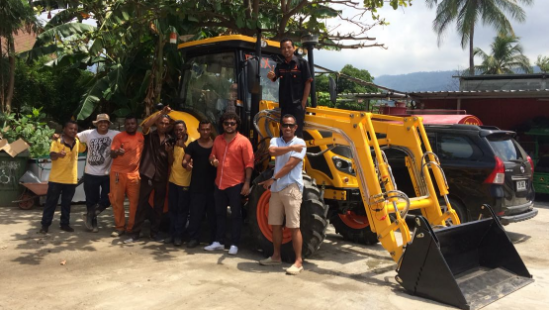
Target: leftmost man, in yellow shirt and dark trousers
63, 176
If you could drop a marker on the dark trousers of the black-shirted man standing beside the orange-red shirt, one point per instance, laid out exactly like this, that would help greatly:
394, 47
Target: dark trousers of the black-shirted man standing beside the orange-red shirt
202, 203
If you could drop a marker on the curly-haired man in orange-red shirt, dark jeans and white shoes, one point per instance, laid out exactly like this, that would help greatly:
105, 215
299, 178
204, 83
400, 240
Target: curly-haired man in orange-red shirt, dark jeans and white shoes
232, 155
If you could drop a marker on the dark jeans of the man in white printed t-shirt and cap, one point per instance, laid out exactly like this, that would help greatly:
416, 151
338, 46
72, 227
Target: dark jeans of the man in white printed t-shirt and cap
97, 188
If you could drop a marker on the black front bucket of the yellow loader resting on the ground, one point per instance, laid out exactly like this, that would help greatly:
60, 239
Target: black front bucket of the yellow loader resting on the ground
467, 266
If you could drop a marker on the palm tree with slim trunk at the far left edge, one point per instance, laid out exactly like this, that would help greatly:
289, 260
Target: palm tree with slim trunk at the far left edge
15, 16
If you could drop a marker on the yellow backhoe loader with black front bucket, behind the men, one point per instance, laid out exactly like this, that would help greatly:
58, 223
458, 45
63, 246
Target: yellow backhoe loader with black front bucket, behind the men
348, 179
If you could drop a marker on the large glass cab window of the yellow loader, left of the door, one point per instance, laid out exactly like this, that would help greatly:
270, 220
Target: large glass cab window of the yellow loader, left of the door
209, 84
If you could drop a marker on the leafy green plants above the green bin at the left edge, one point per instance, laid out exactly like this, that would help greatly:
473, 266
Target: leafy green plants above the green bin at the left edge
31, 128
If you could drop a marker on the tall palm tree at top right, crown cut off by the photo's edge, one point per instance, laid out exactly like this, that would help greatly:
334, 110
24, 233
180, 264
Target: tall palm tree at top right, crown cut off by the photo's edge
466, 14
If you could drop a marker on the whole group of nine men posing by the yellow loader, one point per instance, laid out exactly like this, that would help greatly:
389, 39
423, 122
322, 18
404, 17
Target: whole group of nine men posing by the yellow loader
150, 166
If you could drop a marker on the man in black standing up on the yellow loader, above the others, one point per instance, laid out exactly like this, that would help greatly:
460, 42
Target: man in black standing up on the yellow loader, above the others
295, 83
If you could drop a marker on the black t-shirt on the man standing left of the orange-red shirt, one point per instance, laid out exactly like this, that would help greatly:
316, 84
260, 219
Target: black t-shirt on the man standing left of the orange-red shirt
203, 174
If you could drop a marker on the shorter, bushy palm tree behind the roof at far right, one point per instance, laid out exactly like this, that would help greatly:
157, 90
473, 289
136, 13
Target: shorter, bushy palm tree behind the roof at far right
505, 57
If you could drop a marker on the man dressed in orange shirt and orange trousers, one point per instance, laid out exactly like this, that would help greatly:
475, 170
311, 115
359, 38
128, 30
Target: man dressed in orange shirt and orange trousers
126, 151
